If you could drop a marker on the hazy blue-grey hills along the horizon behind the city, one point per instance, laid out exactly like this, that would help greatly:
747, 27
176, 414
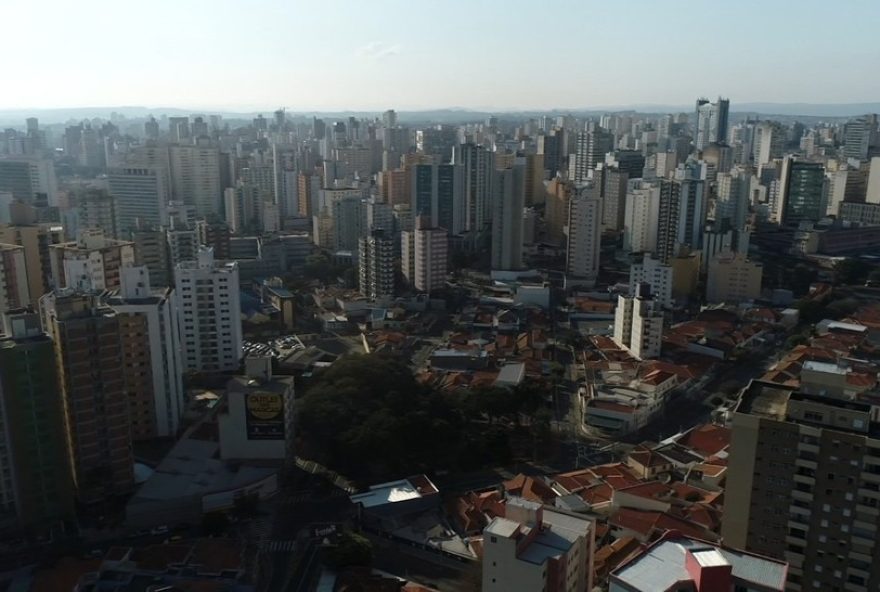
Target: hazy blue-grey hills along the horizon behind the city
446, 115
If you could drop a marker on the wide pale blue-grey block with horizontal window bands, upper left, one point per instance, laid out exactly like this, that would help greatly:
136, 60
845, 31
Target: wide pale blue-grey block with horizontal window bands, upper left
141, 195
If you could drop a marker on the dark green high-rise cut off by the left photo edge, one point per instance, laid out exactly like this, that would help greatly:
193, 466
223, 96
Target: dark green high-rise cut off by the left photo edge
35, 472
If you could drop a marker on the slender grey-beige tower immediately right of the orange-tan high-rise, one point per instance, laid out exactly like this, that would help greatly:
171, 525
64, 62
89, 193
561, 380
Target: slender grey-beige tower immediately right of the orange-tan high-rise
584, 234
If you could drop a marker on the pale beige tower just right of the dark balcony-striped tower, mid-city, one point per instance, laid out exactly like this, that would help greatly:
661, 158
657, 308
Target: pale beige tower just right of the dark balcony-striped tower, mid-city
424, 256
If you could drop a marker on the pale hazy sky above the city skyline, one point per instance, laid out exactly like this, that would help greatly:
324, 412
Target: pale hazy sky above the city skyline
413, 54
